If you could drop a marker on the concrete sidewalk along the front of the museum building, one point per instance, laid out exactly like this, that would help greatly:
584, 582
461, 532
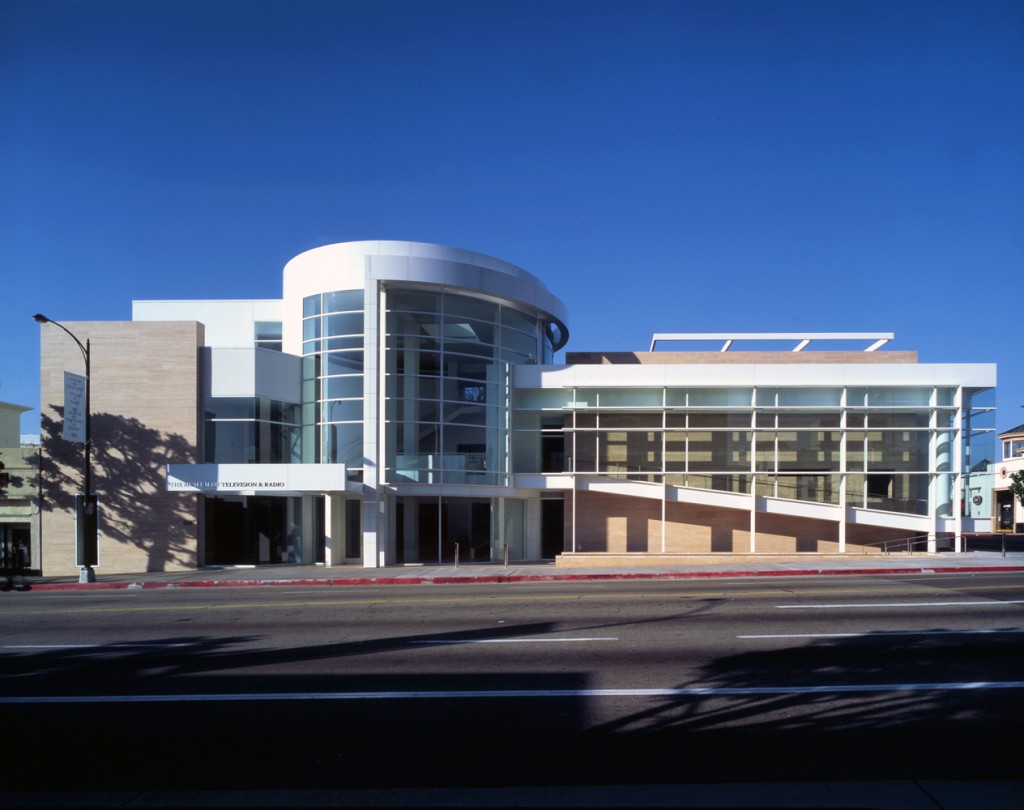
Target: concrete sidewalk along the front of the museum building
679, 569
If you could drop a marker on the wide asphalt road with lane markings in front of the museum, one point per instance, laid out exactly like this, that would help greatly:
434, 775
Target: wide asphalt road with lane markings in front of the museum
810, 678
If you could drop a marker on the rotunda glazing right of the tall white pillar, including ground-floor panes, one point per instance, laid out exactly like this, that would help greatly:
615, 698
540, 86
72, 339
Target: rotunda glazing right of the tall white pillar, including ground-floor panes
447, 371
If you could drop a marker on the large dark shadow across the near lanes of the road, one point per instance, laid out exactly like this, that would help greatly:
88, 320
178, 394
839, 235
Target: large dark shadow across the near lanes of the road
353, 721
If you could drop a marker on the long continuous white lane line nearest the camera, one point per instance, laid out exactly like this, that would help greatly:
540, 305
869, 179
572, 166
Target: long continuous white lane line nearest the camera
700, 692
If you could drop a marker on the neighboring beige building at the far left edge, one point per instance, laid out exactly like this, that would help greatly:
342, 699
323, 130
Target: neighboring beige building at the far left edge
19, 495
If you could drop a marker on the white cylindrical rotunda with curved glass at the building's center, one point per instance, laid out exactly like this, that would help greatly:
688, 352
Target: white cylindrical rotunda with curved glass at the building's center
407, 351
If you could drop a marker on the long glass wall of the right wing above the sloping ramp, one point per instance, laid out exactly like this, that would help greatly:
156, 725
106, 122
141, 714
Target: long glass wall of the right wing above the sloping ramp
893, 445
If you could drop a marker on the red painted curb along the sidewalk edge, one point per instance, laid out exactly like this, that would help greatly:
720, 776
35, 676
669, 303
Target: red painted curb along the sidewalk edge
500, 579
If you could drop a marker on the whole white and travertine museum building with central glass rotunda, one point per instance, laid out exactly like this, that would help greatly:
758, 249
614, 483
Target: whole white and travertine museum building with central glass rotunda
400, 405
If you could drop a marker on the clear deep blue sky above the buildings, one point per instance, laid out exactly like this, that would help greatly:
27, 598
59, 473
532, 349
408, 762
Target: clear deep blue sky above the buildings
734, 165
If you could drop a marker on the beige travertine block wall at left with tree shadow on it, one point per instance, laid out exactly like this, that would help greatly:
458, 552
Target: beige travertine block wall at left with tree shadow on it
146, 407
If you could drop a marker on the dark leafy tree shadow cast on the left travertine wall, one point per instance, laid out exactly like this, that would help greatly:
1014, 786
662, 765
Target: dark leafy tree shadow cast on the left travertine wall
129, 463
